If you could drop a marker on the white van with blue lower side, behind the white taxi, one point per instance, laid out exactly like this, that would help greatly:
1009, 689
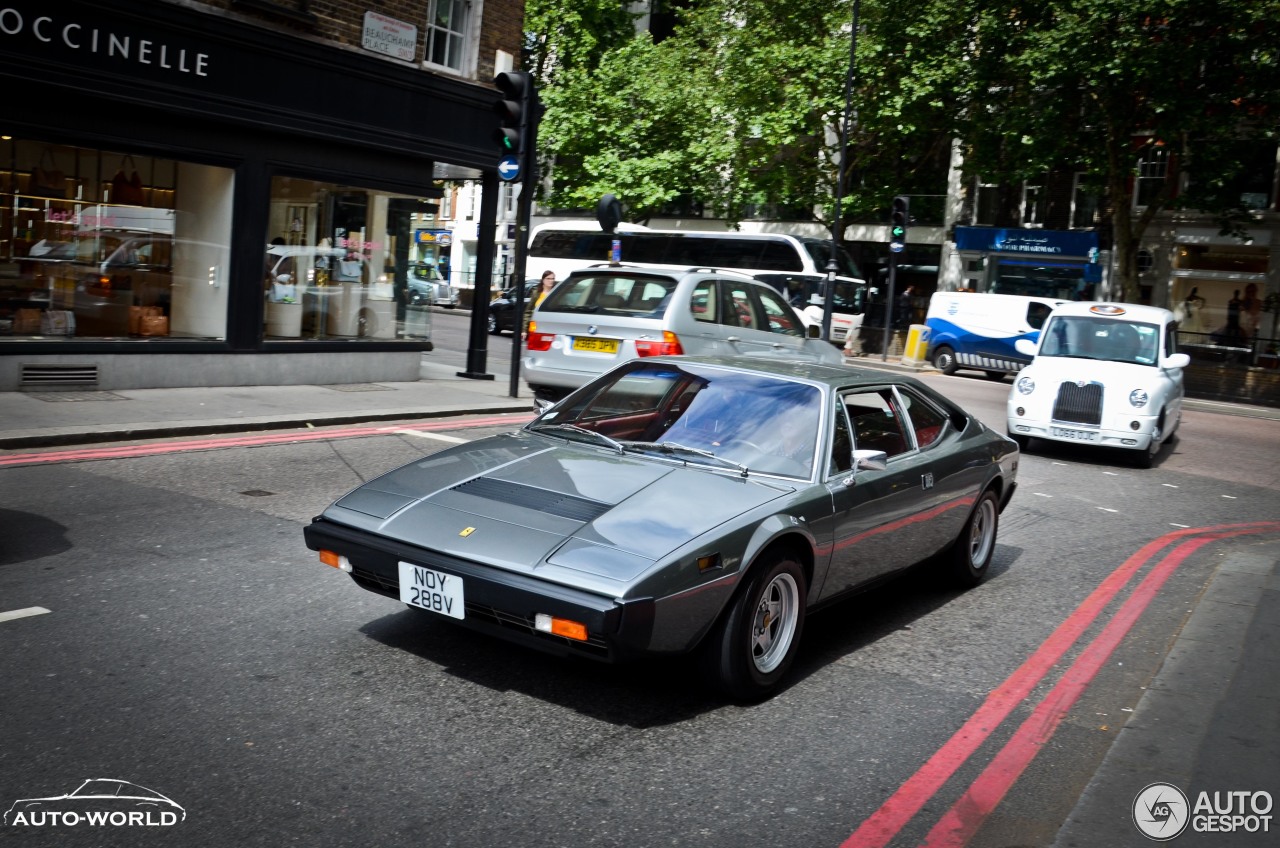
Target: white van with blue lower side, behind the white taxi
979, 332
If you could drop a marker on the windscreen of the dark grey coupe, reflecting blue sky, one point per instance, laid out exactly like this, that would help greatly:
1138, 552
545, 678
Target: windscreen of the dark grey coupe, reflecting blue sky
698, 416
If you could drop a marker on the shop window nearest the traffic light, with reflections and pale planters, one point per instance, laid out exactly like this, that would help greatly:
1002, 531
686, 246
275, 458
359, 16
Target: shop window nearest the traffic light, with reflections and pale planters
350, 263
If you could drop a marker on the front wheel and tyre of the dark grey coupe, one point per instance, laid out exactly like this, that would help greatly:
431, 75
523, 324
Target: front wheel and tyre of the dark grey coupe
752, 648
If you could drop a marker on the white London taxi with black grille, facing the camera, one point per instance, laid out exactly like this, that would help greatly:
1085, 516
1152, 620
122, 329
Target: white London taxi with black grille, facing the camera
1107, 375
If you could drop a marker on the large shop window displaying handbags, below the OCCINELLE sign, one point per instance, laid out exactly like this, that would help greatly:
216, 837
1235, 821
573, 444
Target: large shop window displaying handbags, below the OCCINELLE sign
112, 245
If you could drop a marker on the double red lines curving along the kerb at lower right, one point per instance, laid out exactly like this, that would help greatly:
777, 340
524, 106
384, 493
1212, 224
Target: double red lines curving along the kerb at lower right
962, 822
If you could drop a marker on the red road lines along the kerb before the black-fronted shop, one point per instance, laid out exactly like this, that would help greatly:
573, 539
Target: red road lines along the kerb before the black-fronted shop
129, 452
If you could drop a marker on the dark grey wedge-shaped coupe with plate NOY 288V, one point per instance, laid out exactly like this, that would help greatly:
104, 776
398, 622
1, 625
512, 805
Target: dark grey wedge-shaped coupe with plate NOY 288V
684, 505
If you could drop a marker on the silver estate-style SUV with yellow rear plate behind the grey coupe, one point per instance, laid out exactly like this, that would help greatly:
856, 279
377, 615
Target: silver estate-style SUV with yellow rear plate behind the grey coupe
600, 317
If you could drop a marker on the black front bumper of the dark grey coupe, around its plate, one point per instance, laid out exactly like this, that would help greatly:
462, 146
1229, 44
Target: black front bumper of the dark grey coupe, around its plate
497, 601
